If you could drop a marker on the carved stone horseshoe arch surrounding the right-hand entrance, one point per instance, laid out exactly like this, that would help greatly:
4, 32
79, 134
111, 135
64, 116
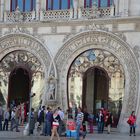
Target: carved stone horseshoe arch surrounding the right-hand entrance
111, 43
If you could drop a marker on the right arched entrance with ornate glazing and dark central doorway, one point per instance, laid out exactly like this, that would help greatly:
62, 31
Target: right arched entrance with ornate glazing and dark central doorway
96, 80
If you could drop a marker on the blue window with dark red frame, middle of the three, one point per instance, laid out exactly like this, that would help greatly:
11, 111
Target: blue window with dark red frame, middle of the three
58, 4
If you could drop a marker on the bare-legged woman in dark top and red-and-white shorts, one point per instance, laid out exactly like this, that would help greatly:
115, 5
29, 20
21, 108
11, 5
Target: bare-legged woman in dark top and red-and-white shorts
55, 125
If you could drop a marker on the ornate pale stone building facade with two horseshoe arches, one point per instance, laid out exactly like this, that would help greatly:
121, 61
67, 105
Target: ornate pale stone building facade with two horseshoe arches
72, 53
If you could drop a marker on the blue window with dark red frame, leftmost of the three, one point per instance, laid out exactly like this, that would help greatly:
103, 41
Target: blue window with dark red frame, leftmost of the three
24, 5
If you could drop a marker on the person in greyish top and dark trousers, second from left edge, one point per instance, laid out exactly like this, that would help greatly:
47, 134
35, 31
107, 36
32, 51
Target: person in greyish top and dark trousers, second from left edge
6, 119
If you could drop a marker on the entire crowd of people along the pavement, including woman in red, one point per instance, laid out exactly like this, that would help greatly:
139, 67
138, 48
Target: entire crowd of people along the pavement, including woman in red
52, 123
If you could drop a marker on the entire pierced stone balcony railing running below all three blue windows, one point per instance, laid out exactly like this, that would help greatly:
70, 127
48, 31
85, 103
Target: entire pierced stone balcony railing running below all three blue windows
86, 13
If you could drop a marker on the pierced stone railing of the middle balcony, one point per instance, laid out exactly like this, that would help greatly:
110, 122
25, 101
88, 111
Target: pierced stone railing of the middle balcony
55, 14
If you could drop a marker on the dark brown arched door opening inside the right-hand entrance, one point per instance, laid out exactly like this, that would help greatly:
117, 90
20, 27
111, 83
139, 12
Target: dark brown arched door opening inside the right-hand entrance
95, 89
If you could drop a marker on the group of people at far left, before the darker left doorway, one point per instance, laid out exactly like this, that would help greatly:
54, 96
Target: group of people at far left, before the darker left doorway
16, 114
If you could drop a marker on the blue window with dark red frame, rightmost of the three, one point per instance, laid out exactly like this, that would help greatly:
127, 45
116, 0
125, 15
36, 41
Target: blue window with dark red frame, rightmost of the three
99, 3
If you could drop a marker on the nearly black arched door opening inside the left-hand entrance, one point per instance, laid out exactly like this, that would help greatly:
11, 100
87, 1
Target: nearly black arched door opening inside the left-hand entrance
19, 86
